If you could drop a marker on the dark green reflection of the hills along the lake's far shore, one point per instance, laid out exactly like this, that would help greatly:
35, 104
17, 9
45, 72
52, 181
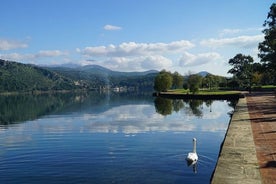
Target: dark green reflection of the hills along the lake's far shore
18, 108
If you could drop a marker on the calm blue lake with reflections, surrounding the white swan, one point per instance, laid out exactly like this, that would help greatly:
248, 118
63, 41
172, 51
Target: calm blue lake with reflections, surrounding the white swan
108, 138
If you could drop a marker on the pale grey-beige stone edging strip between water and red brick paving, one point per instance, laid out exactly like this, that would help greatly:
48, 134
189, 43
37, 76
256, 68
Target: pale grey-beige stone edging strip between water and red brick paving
237, 161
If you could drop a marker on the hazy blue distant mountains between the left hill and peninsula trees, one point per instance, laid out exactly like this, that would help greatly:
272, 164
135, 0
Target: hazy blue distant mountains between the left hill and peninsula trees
95, 77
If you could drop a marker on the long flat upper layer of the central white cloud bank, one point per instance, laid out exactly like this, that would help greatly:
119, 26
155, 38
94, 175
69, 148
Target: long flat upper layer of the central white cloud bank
137, 49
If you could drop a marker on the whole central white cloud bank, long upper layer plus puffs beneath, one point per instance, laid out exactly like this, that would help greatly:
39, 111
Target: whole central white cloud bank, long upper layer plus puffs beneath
132, 56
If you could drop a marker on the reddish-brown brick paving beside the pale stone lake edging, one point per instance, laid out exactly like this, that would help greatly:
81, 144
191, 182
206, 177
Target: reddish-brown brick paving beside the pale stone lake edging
262, 111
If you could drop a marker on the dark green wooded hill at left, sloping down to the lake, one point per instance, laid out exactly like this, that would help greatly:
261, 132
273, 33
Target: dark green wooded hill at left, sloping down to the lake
24, 77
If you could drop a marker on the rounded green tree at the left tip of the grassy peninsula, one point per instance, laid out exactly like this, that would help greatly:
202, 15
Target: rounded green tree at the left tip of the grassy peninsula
163, 81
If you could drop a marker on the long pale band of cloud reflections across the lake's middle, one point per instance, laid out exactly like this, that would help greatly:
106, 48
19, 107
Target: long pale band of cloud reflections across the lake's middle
133, 119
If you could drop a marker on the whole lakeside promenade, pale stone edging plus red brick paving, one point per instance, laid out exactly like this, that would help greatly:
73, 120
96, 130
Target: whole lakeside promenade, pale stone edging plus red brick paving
248, 154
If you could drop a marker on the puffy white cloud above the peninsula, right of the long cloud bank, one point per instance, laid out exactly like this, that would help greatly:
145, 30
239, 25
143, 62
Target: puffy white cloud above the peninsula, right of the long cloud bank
189, 59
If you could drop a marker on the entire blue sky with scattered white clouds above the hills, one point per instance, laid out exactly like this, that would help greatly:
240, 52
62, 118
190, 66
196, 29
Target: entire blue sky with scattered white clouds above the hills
132, 35
